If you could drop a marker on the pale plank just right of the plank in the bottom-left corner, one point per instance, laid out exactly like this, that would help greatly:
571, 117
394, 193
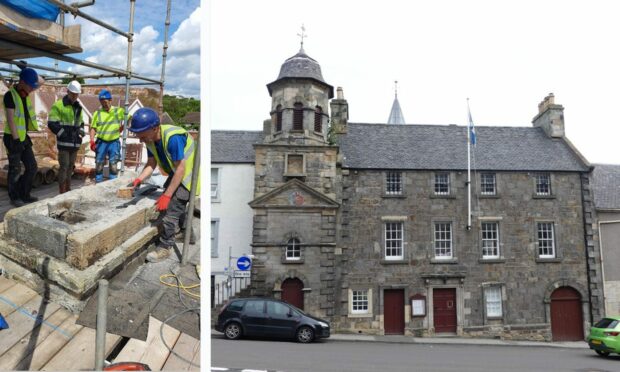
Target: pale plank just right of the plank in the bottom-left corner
50, 346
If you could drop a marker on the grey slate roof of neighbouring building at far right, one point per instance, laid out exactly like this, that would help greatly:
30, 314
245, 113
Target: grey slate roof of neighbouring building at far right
606, 186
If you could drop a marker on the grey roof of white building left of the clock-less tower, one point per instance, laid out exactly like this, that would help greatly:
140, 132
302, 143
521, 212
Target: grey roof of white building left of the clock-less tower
230, 146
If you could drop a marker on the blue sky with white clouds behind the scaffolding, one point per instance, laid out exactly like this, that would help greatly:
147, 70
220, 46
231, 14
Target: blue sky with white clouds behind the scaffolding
108, 48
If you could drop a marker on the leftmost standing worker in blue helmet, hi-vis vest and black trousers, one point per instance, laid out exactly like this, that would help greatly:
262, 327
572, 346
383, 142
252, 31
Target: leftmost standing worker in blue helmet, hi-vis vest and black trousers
20, 117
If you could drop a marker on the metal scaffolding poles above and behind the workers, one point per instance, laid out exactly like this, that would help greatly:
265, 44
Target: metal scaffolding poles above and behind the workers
111, 71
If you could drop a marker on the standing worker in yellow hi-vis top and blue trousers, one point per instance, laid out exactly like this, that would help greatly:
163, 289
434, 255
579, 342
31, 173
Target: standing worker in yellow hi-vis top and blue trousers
108, 125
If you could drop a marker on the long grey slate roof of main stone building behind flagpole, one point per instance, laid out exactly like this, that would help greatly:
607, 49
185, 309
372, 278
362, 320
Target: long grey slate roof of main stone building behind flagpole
432, 147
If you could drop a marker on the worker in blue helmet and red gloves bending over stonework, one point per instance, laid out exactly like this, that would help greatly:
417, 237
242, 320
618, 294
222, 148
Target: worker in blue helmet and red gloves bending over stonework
173, 150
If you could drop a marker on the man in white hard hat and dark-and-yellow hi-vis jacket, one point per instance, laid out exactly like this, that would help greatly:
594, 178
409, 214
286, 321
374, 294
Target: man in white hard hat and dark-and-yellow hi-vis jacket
65, 121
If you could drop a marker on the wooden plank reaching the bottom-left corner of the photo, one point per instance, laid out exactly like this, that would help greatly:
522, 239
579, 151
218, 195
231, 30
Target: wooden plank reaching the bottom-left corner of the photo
11, 359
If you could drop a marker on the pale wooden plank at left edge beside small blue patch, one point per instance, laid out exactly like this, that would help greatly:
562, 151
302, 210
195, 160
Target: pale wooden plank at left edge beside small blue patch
24, 320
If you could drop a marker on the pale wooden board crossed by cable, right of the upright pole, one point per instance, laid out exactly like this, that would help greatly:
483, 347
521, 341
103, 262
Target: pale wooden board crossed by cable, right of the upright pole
152, 351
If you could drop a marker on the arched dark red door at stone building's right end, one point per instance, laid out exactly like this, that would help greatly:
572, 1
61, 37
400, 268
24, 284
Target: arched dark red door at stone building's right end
566, 315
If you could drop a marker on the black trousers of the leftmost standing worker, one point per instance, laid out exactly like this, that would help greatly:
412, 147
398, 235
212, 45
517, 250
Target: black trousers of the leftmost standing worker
20, 186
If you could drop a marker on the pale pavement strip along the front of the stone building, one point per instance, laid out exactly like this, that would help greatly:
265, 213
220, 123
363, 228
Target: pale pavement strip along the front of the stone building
445, 340
